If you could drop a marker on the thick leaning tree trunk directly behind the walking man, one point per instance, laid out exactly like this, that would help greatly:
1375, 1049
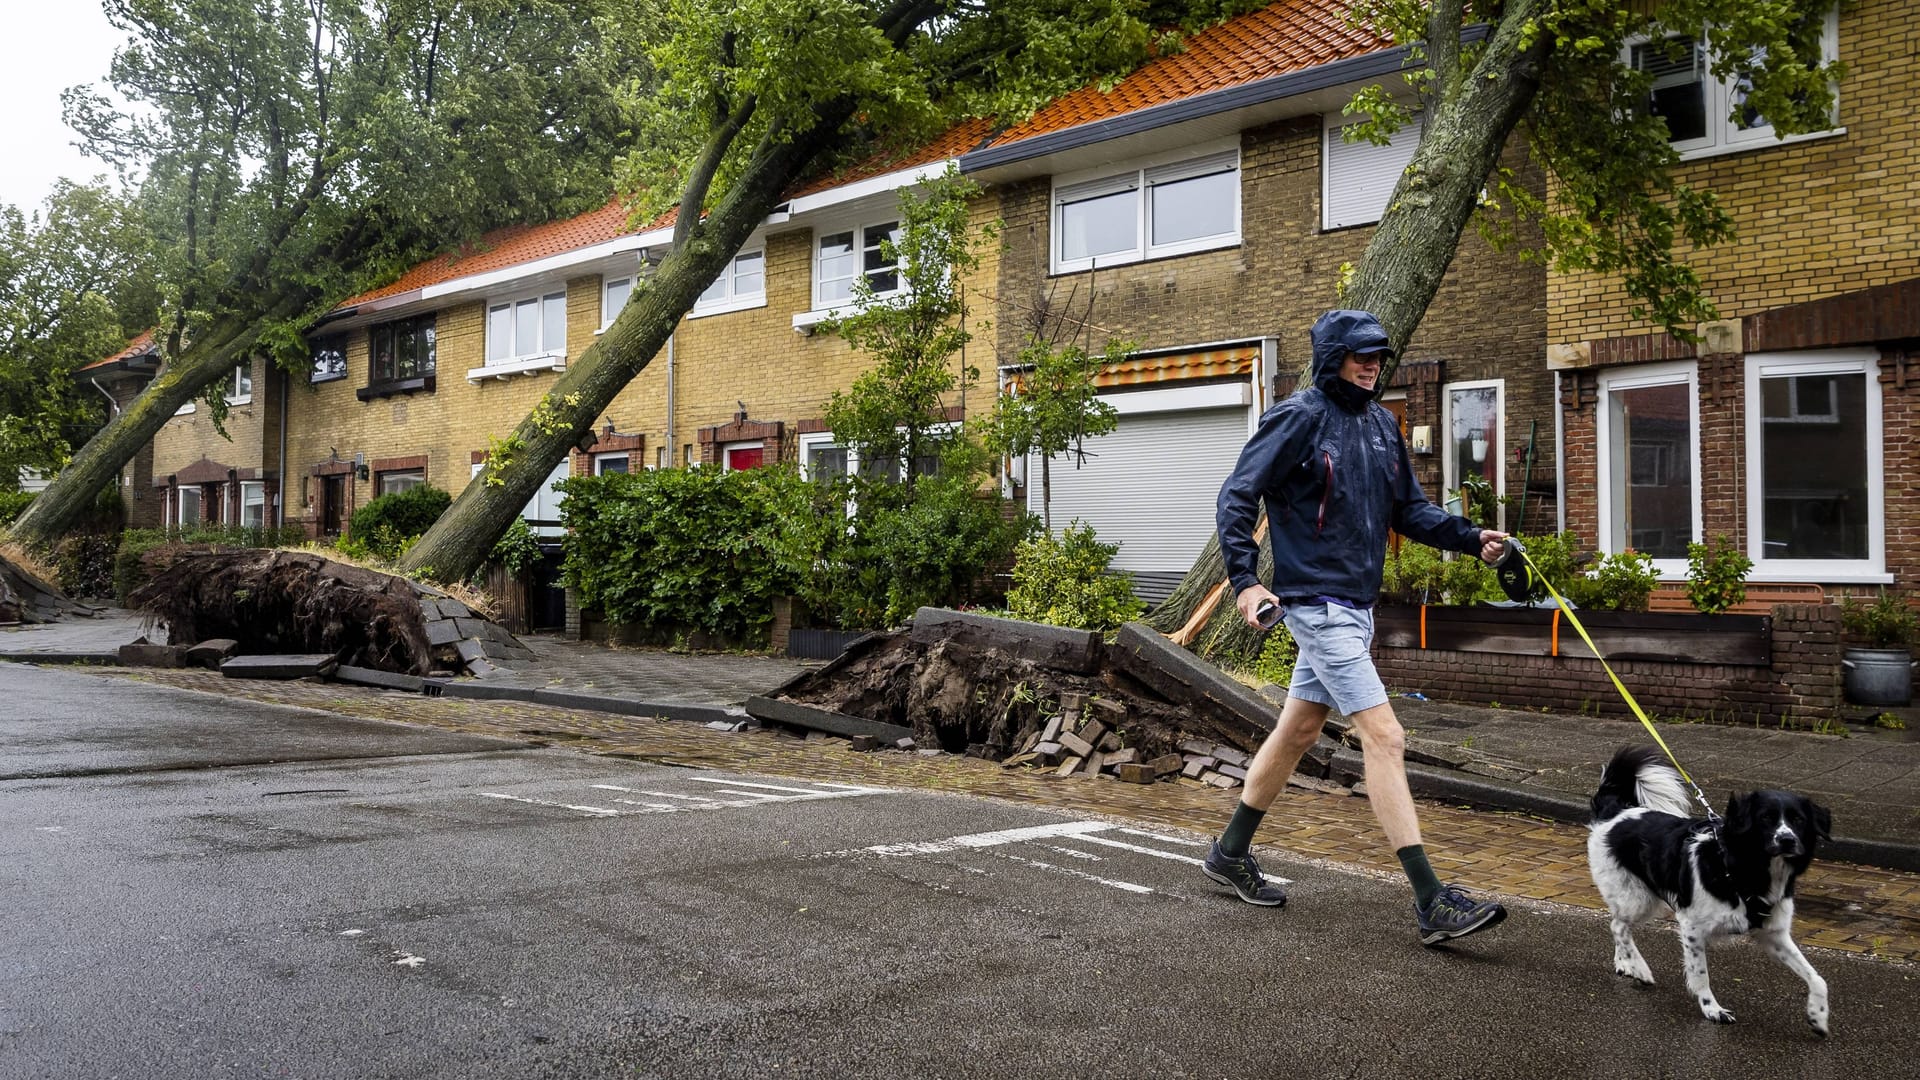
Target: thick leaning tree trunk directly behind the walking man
1404, 264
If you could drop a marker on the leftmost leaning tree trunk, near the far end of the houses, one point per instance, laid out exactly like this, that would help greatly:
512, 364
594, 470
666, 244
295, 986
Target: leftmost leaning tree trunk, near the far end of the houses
193, 370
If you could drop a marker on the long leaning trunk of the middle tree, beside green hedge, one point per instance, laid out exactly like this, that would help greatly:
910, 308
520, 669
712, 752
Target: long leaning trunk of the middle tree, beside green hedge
458, 545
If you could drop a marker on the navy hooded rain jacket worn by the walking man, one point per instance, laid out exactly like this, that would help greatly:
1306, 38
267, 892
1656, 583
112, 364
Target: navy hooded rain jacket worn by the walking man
1335, 478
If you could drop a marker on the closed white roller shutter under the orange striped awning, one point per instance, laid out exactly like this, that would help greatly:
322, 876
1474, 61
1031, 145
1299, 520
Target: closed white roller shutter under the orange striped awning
1149, 487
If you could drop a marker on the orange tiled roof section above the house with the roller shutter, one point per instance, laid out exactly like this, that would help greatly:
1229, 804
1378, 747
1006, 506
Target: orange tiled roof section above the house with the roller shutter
1291, 36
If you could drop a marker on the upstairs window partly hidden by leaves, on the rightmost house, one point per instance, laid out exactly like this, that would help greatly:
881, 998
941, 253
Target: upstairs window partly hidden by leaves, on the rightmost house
1702, 112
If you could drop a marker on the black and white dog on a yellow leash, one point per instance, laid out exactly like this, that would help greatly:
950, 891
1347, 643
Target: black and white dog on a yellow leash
1646, 854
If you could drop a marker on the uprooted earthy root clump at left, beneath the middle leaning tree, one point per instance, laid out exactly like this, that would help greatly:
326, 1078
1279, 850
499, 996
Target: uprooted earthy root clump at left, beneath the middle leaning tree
289, 602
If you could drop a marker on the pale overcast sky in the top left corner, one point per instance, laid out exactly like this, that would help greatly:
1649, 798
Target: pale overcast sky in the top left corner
47, 47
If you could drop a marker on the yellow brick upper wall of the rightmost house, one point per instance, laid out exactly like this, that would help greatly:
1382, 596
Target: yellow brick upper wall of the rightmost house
1817, 218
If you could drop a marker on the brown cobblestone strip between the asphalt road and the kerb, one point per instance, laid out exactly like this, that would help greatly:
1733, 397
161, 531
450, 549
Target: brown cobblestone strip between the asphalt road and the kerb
1856, 910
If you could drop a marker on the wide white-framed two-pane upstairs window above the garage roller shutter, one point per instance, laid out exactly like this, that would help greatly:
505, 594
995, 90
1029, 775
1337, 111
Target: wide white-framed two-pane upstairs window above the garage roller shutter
1151, 212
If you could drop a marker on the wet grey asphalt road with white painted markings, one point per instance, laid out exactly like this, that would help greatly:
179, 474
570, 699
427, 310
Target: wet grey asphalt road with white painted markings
199, 889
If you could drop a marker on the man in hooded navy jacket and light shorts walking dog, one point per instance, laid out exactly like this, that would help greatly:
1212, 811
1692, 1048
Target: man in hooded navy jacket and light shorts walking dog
1333, 474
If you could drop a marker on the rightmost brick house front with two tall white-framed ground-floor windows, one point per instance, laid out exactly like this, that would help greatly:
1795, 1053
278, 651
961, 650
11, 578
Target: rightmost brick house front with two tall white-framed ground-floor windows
1792, 424
